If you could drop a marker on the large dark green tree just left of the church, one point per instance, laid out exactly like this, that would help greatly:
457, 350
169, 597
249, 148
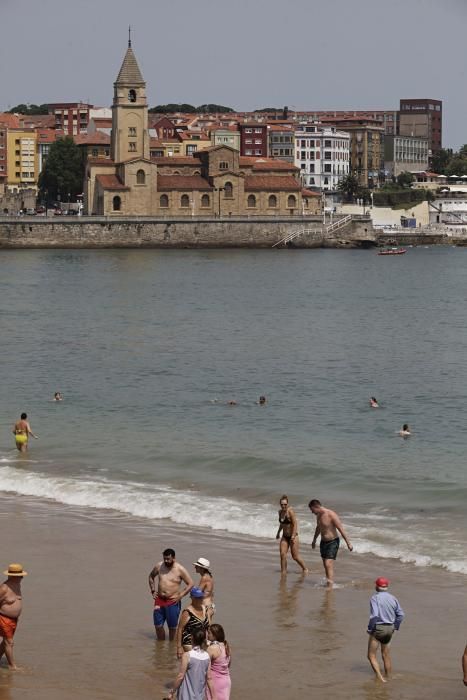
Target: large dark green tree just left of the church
63, 174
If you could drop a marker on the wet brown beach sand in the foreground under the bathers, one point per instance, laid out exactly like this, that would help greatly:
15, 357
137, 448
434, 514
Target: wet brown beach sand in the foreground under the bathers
86, 629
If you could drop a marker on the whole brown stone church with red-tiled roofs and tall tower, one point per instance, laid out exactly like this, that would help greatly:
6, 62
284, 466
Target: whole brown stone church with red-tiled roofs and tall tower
215, 182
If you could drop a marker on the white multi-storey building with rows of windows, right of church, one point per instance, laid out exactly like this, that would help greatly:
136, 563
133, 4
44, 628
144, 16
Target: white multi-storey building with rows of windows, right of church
323, 155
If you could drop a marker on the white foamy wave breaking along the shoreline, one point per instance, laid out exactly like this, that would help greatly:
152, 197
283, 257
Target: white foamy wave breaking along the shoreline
194, 509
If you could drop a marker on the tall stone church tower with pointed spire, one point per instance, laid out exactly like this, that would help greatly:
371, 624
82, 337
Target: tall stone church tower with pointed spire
130, 135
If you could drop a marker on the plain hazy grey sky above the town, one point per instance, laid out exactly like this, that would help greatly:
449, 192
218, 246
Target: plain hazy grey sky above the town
245, 54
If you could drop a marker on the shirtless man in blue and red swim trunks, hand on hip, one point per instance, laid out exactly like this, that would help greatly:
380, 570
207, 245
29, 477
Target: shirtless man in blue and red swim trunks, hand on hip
167, 600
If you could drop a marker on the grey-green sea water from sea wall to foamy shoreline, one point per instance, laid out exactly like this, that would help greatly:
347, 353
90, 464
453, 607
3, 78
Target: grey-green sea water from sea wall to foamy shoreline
148, 348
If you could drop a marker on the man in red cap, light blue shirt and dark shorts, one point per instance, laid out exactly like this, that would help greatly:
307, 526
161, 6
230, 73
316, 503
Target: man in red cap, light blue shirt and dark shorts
386, 616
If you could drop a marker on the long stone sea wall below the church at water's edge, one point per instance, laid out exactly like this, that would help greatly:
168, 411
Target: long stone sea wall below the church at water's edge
107, 232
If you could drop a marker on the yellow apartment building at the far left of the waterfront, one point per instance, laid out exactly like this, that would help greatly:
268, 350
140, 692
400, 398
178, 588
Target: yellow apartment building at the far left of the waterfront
23, 169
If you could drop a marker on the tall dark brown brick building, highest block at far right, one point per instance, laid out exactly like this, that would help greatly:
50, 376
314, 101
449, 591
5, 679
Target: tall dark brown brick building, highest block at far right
422, 118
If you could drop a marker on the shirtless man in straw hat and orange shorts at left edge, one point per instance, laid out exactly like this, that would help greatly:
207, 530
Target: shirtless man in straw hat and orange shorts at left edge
10, 609
